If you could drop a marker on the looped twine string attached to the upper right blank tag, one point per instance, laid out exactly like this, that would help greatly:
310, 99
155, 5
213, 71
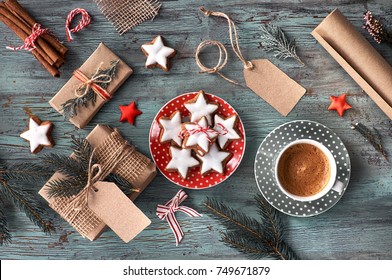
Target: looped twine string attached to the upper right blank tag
222, 50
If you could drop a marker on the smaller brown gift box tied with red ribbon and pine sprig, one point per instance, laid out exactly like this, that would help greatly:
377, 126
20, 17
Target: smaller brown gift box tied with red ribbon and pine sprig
91, 86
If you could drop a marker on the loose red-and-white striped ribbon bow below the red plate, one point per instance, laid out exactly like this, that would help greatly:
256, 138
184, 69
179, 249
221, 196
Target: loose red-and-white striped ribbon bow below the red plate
167, 212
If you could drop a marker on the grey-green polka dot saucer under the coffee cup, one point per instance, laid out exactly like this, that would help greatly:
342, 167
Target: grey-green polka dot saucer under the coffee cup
269, 150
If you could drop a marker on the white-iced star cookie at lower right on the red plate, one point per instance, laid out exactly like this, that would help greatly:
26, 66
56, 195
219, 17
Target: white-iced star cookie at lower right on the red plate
215, 160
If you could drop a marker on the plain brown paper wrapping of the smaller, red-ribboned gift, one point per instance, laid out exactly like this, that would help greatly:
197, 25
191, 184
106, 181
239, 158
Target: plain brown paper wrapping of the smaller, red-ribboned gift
85, 114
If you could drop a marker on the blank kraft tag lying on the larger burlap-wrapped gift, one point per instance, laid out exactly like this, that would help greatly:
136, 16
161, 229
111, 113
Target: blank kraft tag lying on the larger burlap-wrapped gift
117, 211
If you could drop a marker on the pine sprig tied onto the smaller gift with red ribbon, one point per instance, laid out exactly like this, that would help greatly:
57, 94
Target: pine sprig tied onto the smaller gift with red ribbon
70, 107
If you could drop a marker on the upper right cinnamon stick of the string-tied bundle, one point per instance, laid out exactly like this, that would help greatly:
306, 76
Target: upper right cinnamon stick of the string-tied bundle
20, 12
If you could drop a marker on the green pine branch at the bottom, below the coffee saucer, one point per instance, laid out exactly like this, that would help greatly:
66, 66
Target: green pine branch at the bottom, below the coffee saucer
250, 236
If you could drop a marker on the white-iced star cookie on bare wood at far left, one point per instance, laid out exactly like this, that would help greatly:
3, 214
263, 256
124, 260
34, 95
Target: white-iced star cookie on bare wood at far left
38, 134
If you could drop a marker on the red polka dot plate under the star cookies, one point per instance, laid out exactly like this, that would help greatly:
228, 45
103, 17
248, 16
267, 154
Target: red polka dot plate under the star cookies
160, 151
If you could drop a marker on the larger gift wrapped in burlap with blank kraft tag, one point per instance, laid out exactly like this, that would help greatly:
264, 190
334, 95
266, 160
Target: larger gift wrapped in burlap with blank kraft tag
110, 149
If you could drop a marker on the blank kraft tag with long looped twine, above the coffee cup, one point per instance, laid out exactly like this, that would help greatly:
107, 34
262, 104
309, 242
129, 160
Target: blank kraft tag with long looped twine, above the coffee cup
261, 75
